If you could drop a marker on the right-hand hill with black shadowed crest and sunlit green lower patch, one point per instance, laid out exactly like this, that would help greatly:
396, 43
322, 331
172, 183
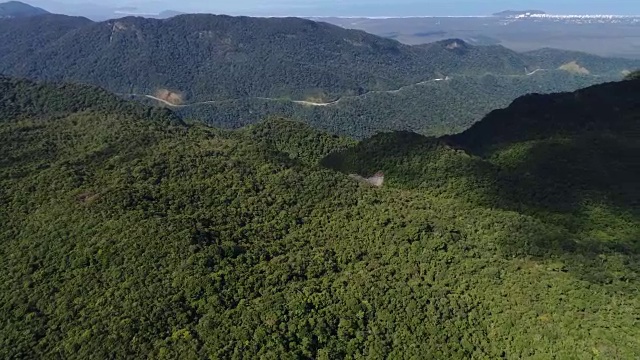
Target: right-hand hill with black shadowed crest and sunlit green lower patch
556, 156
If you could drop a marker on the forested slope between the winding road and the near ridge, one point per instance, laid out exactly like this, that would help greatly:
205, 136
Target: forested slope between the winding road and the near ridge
435, 108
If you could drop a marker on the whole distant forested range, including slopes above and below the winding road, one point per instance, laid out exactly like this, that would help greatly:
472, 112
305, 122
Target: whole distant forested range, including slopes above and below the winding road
233, 71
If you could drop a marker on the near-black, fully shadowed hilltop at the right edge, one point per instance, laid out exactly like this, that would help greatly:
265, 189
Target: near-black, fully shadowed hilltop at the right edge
610, 109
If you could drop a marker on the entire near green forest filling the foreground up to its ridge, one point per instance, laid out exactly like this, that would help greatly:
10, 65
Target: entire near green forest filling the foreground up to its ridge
127, 233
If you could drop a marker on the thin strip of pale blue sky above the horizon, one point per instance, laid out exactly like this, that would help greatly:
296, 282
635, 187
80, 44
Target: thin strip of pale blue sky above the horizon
351, 7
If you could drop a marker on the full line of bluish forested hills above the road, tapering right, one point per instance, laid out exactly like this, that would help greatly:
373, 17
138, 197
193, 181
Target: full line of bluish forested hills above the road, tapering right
209, 57
